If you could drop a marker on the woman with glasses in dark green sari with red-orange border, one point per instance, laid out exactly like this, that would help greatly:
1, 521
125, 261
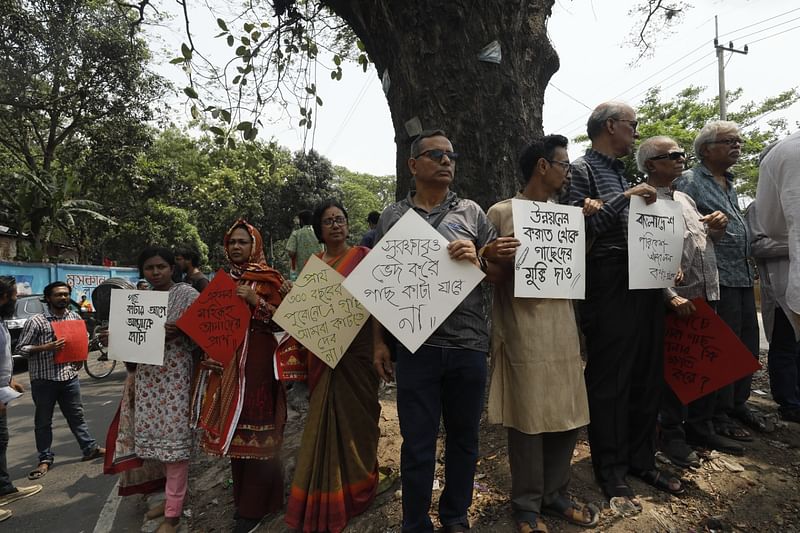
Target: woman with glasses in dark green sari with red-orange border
337, 468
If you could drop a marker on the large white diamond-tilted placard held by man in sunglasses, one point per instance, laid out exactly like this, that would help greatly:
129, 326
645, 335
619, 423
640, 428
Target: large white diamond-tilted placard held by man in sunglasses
408, 281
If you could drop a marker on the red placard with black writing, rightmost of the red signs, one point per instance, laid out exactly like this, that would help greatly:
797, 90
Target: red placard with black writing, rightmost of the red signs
702, 354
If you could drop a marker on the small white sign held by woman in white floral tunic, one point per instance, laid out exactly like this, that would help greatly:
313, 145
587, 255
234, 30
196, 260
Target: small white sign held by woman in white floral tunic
136, 326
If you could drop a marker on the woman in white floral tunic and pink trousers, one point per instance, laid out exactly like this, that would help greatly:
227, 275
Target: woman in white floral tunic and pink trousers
152, 436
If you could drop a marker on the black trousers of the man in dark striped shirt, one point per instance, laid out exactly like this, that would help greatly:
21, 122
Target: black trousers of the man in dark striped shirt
624, 332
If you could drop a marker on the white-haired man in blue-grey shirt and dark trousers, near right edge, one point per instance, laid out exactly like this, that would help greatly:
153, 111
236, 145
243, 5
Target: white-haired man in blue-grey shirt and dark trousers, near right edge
718, 146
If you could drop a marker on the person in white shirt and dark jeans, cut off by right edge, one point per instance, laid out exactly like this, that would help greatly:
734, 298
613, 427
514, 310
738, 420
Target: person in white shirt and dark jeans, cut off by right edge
777, 209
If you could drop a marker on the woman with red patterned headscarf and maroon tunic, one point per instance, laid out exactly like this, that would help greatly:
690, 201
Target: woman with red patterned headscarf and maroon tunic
242, 407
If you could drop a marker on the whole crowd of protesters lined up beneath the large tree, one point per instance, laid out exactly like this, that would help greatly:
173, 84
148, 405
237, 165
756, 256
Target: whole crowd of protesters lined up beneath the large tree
539, 386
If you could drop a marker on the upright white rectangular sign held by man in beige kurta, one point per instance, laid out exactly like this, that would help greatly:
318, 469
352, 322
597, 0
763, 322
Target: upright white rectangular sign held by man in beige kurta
551, 260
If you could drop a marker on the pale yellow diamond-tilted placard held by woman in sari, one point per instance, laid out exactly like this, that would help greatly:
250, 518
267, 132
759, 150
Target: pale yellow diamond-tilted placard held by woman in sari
320, 313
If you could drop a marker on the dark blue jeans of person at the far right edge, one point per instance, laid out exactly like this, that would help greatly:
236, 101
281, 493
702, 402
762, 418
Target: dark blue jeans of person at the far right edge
784, 363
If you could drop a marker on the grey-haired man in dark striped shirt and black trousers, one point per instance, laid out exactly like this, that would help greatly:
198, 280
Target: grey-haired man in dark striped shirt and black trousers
624, 328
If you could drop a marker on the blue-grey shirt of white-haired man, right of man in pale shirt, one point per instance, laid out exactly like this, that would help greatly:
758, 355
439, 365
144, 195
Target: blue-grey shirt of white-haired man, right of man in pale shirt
733, 248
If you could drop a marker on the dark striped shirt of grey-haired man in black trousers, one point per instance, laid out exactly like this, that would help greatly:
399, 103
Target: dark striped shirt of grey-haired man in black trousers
596, 175
